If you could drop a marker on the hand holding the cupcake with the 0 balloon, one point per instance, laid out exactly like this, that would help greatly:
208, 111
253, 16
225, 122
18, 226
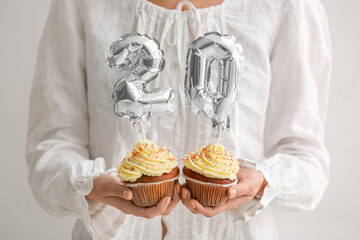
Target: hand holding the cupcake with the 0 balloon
250, 183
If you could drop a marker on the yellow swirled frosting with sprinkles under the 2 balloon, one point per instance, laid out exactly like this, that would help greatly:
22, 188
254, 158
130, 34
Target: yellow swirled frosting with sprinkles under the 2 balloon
146, 158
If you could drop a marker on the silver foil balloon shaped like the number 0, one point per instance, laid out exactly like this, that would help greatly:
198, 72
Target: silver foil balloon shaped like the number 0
213, 68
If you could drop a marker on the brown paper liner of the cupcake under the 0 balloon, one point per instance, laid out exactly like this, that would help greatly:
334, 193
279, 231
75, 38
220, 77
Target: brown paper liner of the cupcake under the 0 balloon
206, 193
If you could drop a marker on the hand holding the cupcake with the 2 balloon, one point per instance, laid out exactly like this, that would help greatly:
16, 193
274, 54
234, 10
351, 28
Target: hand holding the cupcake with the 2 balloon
109, 190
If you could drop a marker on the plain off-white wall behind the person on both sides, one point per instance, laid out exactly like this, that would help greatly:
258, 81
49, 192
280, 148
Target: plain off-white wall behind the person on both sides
338, 215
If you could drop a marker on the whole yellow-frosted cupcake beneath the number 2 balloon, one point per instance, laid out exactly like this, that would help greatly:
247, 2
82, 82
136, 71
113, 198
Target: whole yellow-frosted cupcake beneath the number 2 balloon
150, 172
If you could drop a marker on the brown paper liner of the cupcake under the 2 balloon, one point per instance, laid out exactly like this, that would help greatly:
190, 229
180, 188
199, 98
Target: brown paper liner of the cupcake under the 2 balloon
150, 194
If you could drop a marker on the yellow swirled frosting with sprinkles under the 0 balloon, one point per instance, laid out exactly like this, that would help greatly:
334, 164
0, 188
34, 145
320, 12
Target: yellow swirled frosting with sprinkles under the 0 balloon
212, 161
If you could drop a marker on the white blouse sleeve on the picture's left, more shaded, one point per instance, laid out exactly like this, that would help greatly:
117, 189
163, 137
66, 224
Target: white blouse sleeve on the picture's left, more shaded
60, 171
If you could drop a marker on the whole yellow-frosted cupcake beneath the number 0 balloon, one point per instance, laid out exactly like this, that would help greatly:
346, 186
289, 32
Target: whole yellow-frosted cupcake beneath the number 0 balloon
209, 172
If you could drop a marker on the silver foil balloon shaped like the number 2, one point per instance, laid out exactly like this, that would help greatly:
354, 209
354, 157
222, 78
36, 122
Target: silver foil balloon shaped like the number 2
142, 59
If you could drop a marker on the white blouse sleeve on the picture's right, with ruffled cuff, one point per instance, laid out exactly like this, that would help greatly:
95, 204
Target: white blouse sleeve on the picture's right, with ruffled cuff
296, 163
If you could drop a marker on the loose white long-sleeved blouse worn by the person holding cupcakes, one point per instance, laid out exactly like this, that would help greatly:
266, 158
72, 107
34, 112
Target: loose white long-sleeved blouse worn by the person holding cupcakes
277, 126
